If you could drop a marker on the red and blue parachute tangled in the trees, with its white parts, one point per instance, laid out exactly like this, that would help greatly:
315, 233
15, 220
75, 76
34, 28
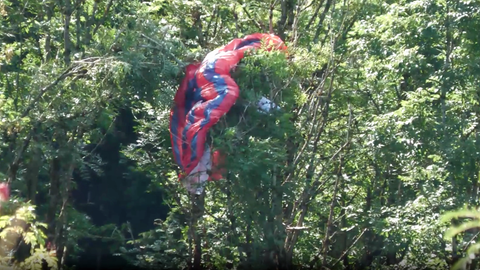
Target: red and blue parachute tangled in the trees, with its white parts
206, 94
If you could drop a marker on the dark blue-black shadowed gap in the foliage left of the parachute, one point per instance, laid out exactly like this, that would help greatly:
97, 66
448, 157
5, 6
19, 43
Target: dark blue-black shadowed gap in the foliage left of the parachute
117, 196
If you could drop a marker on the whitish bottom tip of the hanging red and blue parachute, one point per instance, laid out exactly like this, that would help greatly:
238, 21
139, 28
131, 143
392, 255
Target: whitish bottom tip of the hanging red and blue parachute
195, 181
